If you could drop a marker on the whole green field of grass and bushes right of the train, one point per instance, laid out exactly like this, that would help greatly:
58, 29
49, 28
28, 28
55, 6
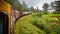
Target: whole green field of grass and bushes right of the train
37, 24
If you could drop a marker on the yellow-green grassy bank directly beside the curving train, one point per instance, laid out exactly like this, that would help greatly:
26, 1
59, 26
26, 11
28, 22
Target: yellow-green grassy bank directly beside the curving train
23, 26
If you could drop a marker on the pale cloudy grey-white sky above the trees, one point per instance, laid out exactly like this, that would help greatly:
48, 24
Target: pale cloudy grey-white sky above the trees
36, 3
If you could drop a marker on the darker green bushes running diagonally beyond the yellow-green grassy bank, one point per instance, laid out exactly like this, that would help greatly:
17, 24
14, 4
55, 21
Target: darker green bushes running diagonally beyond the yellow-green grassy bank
43, 25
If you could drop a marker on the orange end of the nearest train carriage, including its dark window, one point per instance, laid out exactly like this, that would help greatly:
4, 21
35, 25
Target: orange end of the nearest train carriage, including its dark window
4, 17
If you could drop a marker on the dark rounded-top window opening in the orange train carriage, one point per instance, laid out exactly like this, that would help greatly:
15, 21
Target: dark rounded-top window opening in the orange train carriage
3, 23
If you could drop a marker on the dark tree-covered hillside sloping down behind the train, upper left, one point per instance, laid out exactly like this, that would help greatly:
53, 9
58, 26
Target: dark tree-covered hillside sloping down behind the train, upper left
17, 5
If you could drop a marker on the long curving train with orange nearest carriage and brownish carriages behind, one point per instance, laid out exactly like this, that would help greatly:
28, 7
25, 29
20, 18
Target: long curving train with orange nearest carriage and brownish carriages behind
6, 15
